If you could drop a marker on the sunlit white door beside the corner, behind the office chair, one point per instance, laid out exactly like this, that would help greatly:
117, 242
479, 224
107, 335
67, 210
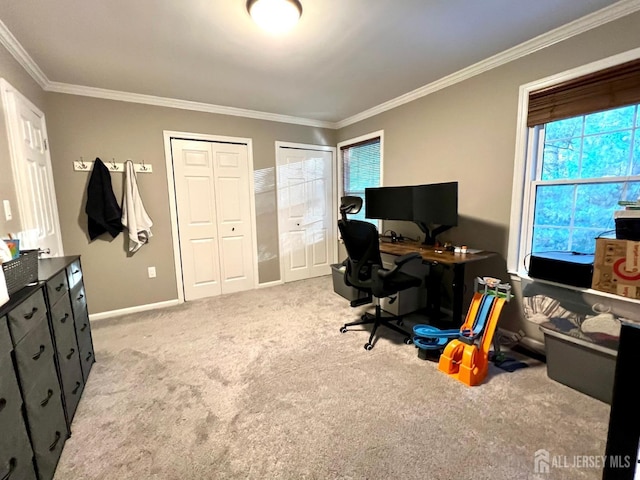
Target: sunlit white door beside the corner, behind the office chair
305, 203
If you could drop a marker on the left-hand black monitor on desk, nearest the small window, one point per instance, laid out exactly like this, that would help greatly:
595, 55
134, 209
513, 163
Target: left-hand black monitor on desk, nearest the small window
388, 203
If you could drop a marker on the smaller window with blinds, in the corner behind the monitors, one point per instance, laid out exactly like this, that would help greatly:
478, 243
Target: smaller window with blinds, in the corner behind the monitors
361, 167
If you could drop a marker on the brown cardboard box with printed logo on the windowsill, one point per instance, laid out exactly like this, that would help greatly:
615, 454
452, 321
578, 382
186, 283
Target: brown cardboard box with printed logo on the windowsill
616, 267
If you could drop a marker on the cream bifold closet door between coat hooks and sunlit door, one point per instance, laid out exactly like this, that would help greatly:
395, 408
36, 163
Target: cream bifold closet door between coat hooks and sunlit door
214, 216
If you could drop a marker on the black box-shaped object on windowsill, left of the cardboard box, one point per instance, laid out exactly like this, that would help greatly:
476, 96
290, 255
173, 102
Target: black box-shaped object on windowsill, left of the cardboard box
568, 268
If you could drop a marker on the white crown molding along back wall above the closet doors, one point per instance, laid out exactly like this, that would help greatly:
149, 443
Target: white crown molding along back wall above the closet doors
103, 93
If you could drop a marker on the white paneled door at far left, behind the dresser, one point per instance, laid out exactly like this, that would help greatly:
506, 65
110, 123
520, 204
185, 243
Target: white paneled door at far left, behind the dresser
32, 174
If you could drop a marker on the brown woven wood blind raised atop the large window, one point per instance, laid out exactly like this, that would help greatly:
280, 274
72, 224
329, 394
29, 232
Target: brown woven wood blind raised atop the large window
612, 87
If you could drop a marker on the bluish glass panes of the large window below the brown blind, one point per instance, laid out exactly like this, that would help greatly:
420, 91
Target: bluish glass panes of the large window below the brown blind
587, 165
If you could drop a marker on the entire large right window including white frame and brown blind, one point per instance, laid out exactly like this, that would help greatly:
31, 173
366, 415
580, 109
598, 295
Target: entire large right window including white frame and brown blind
581, 156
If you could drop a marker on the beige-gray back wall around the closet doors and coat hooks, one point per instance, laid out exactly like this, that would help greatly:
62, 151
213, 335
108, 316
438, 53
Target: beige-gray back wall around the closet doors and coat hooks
89, 127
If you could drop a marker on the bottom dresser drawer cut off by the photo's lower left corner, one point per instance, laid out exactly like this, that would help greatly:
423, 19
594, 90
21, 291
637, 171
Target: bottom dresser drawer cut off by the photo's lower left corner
16, 456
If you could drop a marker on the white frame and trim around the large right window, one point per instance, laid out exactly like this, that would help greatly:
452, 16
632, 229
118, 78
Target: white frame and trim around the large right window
524, 176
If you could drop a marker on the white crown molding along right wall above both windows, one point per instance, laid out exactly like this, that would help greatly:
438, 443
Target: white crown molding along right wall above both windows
581, 25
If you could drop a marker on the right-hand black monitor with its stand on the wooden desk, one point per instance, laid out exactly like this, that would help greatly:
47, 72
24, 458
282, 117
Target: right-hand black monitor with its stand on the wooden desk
435, 208
